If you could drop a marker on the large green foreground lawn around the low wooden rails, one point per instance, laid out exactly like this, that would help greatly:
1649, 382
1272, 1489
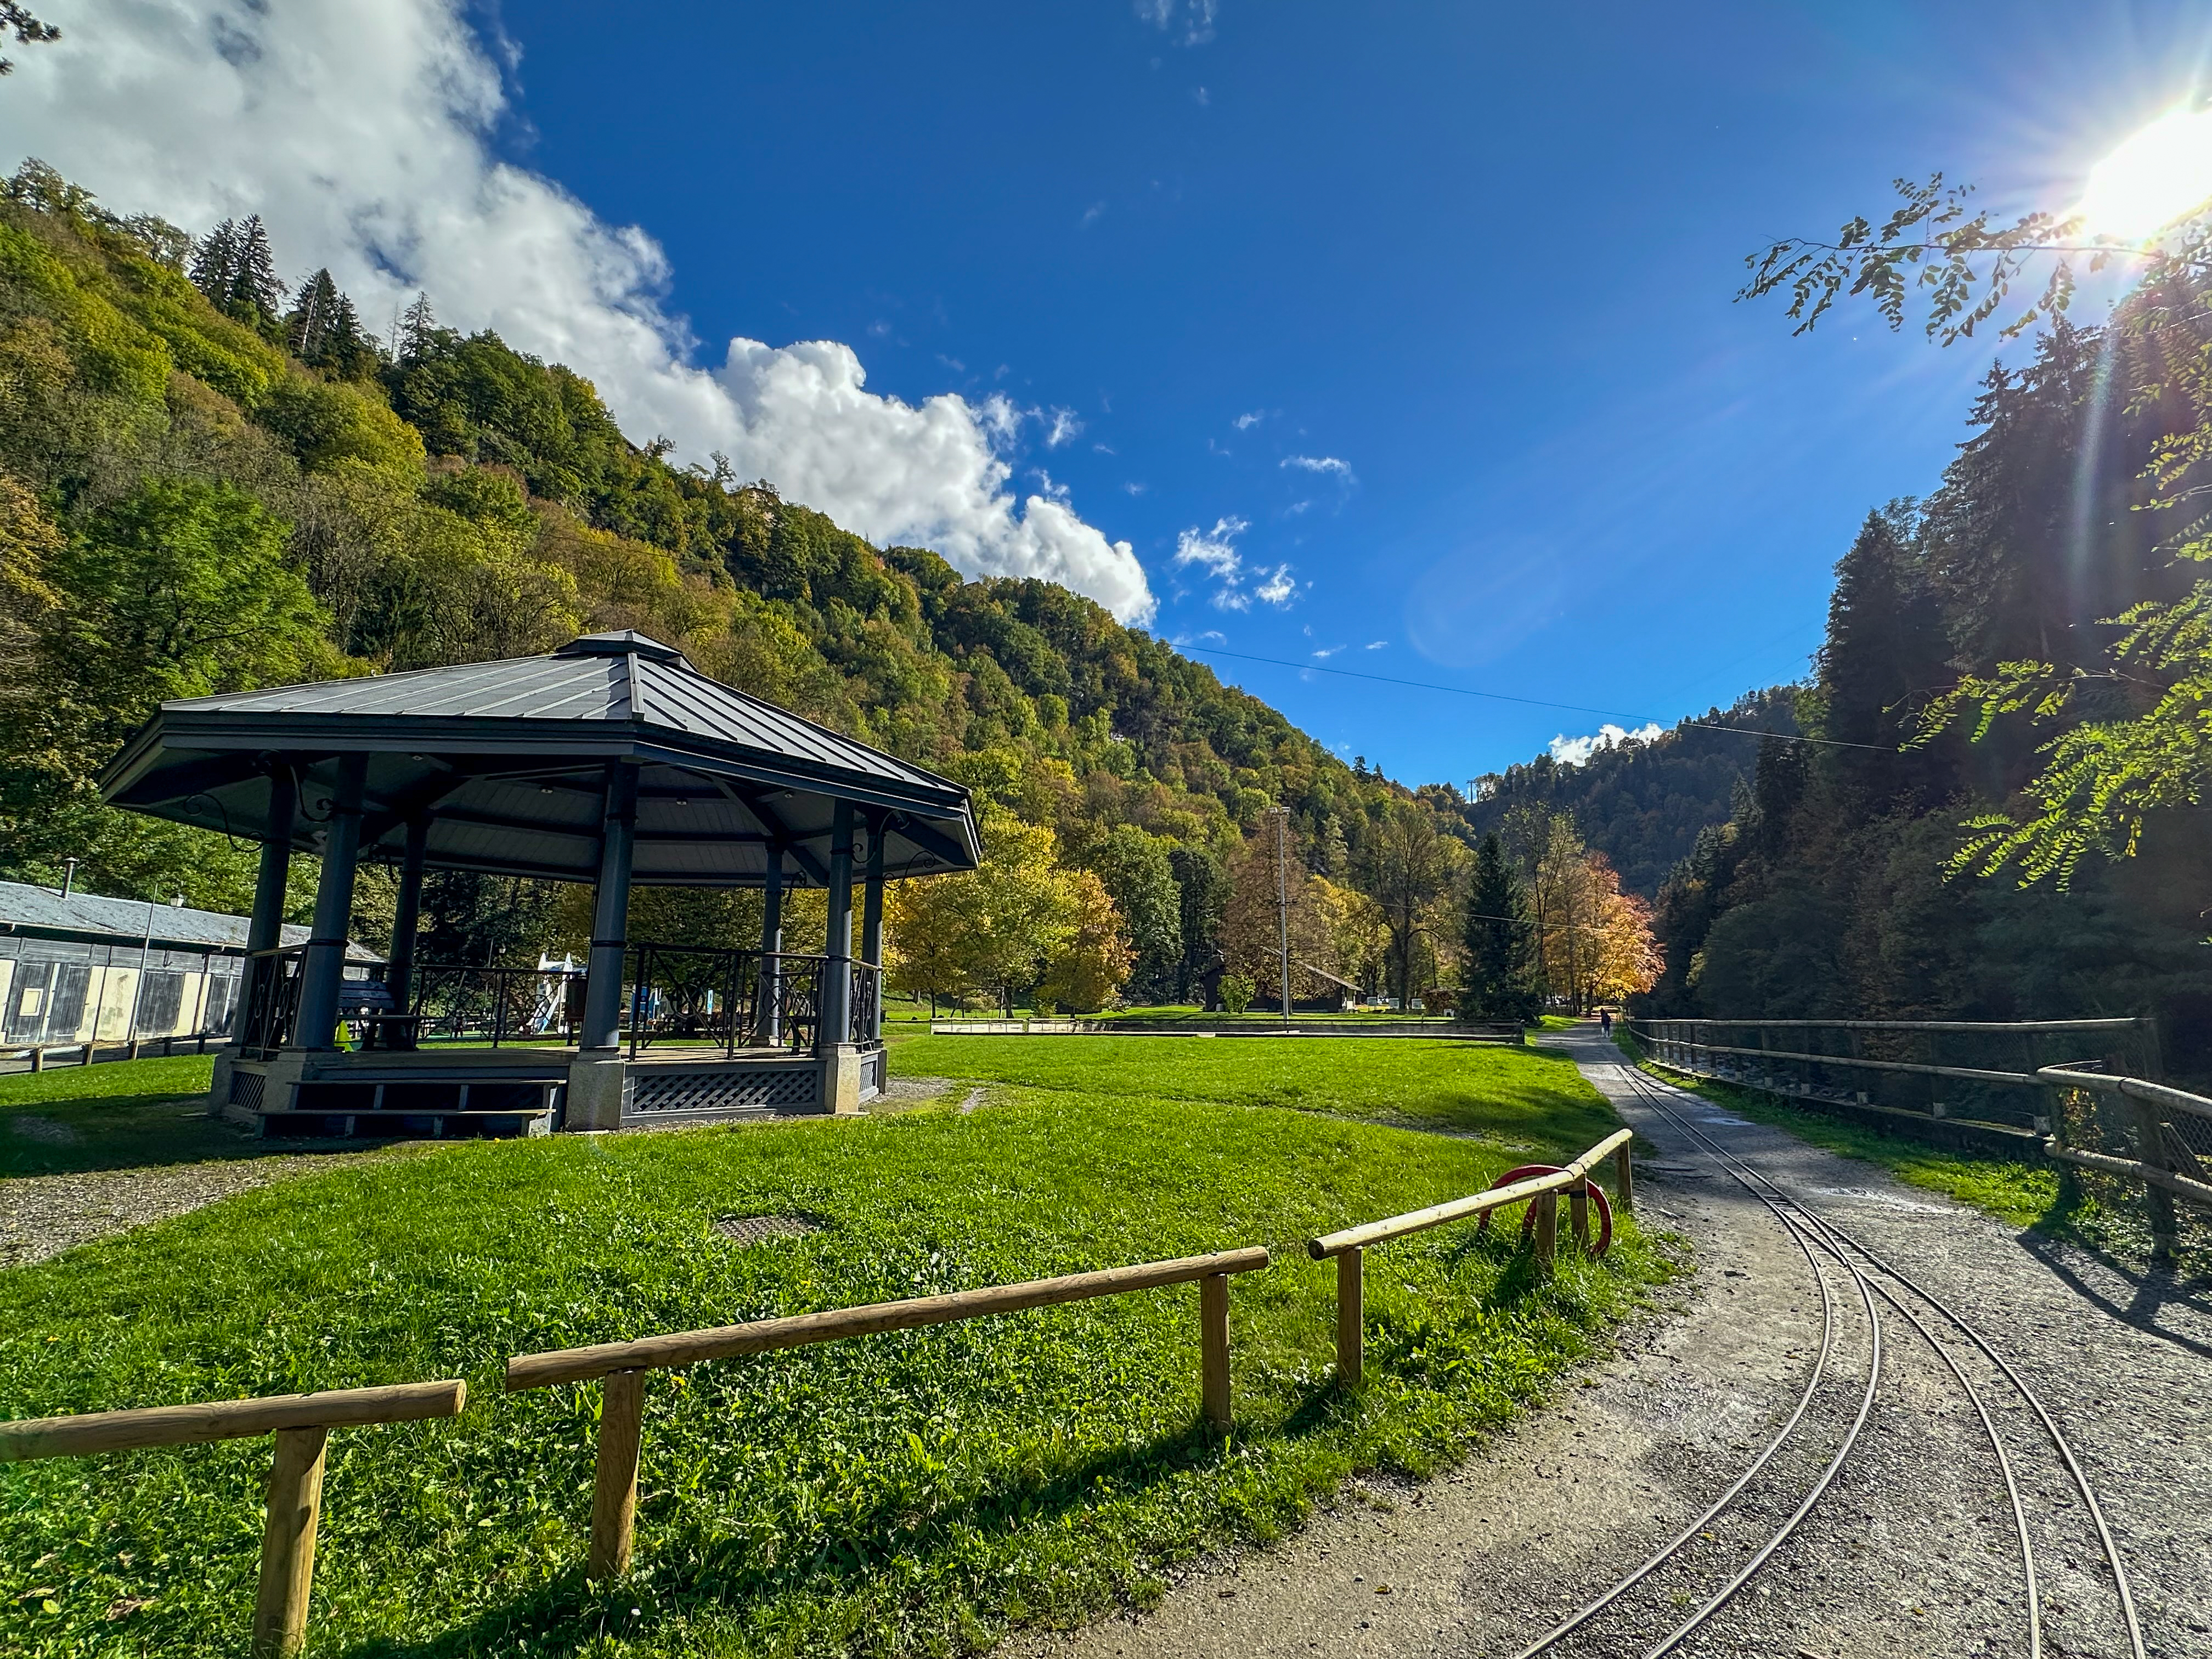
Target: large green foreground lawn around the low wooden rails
895, 1494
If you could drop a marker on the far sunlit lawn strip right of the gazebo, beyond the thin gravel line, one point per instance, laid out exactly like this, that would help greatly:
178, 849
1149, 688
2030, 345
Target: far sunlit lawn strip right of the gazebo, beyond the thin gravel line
1534, 1098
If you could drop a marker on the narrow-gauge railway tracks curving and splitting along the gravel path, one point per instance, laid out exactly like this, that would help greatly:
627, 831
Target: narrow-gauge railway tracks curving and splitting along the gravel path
1875, 1277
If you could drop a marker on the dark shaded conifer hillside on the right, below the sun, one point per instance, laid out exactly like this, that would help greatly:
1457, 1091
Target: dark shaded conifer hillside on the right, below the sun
1826, 893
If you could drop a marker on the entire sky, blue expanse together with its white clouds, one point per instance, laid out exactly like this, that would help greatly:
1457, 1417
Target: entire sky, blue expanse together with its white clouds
1410, 326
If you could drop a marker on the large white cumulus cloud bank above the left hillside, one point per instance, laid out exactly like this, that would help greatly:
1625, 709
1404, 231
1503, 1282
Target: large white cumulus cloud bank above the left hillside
359, 132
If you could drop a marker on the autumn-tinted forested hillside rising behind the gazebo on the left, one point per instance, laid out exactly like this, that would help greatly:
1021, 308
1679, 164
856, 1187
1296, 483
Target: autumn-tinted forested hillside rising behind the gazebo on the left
211, 479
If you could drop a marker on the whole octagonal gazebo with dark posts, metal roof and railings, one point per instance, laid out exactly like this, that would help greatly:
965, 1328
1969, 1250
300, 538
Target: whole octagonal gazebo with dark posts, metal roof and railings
607, 762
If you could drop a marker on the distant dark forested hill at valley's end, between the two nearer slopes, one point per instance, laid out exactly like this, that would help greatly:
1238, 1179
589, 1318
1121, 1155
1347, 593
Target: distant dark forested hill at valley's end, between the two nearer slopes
1645, 804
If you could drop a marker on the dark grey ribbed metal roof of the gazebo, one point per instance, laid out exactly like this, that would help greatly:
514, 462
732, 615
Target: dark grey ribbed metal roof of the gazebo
505, 760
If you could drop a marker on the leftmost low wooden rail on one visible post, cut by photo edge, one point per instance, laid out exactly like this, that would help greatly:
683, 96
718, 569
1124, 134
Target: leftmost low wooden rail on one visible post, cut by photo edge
302, 1426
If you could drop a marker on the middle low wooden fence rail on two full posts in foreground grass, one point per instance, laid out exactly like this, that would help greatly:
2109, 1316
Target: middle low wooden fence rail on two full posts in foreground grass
623, 1366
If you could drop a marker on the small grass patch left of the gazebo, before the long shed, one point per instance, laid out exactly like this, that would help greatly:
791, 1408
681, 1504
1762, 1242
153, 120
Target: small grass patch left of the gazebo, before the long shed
123, 1114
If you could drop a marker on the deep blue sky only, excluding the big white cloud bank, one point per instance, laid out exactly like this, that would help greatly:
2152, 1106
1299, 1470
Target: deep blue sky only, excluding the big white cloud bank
1481, 255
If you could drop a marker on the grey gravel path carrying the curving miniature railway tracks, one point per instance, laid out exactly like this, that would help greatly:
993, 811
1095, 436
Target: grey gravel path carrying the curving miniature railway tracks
1910, 1554
